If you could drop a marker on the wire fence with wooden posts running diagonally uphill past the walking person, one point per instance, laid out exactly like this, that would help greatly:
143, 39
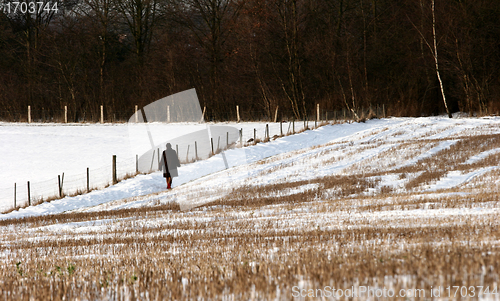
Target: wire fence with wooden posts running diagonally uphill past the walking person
188, 150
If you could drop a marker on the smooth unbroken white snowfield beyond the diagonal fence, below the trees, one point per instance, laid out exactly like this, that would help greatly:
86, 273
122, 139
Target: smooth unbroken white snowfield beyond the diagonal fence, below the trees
40, 152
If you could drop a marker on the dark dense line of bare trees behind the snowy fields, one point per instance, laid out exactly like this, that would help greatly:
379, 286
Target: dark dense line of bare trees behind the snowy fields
258, 54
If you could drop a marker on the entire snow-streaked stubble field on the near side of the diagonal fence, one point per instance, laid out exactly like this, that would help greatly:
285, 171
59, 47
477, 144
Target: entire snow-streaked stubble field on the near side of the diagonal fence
401, 203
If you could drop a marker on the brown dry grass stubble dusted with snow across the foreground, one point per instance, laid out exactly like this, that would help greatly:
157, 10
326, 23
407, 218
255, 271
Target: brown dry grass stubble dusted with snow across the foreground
253, 245
